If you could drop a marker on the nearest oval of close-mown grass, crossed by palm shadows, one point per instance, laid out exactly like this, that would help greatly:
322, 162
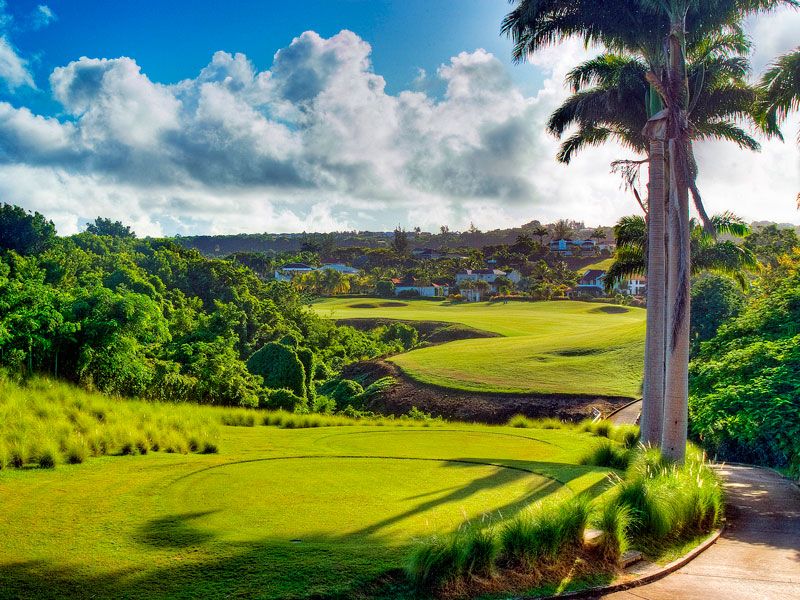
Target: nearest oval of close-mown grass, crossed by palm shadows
348, 497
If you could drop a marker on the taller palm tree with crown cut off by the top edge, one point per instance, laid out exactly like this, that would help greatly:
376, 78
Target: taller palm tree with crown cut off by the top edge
659, 31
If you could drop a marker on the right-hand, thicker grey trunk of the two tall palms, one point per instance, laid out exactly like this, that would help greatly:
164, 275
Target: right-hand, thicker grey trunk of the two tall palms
676, 385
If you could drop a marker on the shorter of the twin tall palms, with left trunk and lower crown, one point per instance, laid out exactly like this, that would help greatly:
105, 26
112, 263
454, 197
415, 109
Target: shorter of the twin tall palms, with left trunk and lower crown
610, 100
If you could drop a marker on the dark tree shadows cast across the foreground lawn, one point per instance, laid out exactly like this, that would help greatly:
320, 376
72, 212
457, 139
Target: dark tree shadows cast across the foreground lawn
191, 562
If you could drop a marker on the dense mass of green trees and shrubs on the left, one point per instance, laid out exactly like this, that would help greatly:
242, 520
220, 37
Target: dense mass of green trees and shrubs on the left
151, 319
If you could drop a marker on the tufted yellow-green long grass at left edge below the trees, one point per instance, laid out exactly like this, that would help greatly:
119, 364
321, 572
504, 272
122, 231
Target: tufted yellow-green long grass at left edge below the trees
44, 423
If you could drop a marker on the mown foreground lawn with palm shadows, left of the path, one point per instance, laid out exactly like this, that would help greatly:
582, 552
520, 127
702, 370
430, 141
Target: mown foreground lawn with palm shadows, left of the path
278, 513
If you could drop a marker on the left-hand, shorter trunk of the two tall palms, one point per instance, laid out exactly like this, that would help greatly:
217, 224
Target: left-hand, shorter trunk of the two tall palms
655, 341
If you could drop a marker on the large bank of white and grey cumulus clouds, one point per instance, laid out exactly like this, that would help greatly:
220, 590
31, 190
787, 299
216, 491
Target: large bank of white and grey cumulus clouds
315, 142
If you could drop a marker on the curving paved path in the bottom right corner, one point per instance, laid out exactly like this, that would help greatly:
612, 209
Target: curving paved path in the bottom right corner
758, 555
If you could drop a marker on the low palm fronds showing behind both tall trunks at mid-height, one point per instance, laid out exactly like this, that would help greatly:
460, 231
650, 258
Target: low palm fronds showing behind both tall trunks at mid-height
708, 253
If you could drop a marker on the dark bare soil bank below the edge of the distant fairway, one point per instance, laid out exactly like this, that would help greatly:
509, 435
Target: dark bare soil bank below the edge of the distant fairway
468, 406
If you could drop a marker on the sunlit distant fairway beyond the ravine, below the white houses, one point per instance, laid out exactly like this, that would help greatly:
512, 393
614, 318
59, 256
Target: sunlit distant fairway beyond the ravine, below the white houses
548, 347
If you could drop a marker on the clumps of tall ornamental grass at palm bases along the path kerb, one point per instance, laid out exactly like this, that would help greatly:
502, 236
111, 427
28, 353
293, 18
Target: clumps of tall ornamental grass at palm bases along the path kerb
654, 506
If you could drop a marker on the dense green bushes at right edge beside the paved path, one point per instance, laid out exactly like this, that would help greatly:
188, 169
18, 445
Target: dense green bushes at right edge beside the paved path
745, 382
